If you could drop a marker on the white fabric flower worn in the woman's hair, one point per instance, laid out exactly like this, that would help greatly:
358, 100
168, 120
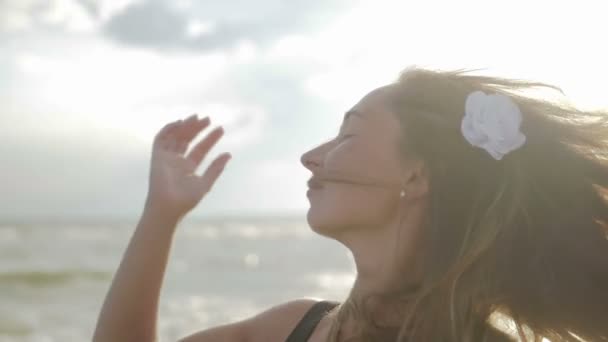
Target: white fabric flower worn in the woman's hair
492, 122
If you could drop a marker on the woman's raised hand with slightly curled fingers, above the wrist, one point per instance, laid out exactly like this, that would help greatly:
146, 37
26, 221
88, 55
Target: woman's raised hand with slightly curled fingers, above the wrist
174, 188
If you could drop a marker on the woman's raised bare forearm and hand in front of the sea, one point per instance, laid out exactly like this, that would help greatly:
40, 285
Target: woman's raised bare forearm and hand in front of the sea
130, 308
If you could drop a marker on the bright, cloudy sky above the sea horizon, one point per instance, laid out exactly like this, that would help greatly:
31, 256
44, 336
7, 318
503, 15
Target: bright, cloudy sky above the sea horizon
85, 85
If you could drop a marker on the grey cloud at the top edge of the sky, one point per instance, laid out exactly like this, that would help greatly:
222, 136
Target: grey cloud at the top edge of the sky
164, 25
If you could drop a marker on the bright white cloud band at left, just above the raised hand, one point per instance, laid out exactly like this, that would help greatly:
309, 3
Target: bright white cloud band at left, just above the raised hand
77, 86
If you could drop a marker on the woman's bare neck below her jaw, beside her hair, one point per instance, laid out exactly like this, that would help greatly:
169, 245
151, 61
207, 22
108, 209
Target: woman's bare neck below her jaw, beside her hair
388, 264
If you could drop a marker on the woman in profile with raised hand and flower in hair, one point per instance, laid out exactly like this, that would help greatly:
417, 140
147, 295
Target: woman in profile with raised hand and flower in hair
461, 198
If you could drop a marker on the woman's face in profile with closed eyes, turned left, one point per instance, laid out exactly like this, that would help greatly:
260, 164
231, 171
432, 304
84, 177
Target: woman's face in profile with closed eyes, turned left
365, 149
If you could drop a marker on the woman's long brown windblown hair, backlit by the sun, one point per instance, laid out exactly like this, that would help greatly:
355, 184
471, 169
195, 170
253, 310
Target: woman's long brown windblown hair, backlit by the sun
523, 237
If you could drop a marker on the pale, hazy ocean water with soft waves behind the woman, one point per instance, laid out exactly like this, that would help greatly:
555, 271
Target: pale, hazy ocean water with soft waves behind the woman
53, 277
